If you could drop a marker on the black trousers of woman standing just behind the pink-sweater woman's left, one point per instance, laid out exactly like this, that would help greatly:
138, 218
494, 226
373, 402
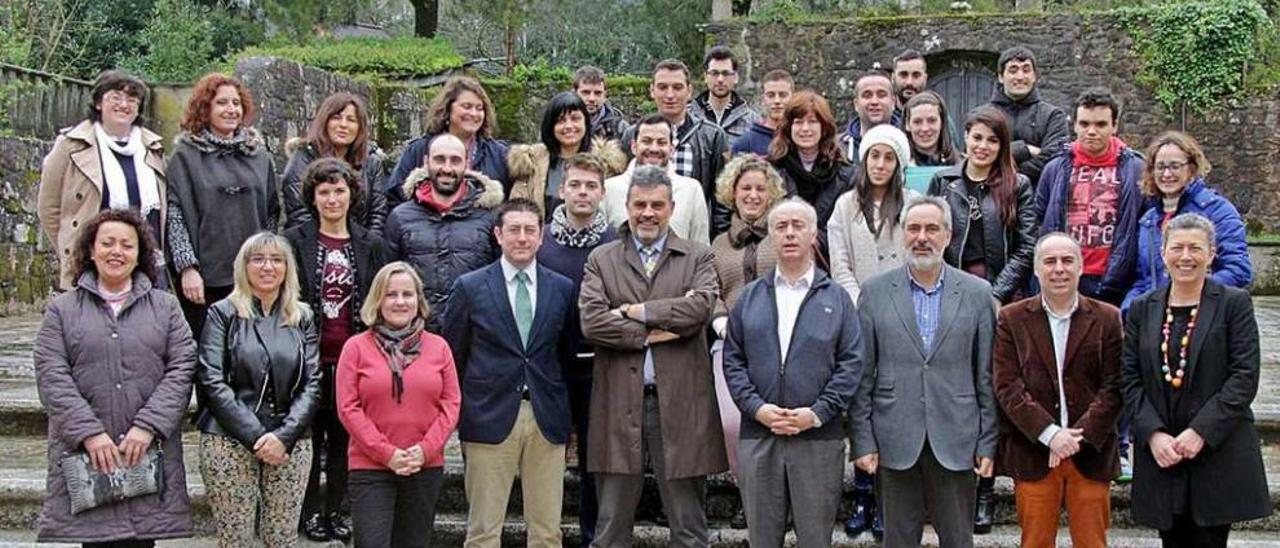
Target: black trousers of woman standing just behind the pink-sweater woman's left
328, 437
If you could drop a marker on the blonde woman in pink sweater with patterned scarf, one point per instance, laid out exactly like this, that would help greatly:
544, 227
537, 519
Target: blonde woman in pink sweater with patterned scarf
399, 398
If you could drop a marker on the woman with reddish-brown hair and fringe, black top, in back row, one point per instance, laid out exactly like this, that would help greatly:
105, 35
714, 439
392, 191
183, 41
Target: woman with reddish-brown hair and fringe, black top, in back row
807, 156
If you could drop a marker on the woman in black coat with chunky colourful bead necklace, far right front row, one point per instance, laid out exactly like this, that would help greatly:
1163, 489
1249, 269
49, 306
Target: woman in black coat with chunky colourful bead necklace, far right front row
1191, 368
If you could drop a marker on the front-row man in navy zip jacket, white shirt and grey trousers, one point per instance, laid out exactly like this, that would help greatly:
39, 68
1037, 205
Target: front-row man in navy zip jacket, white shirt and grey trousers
793, 362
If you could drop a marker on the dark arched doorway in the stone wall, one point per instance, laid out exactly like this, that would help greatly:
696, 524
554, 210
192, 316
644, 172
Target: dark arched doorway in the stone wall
964, 79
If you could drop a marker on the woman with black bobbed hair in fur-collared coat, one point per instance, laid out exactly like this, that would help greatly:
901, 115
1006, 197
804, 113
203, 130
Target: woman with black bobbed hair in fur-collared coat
537, 171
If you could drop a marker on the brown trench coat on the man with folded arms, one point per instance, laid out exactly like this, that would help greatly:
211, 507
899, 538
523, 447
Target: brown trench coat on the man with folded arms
679, 299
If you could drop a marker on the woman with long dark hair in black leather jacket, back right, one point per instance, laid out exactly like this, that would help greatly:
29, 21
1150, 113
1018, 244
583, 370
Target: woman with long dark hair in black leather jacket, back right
993, 227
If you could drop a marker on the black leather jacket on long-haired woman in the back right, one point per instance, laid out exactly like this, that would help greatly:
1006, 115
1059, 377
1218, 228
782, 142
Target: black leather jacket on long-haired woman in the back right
1009, 250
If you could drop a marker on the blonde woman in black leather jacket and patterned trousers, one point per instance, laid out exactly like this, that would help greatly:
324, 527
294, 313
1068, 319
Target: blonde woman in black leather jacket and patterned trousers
259, 389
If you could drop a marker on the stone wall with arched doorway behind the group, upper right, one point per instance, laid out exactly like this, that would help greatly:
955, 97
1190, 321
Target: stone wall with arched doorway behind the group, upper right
1073, 53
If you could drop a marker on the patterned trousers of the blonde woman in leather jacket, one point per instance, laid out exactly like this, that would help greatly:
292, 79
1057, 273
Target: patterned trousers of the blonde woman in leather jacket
239, 485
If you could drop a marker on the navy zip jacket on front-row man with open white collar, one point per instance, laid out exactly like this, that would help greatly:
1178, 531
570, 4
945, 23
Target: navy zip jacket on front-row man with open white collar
825, 359
